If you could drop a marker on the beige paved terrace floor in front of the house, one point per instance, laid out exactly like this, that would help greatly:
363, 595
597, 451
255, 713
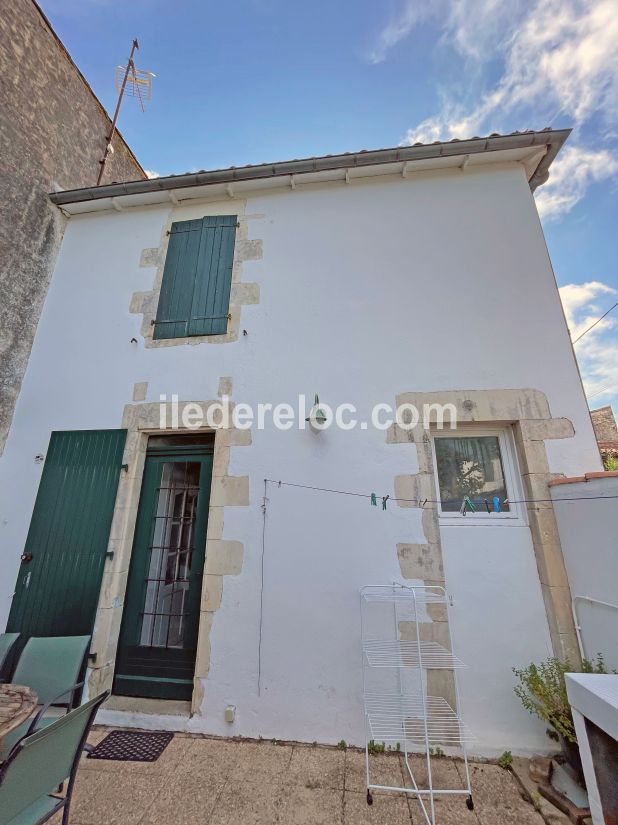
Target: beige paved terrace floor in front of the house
203, 781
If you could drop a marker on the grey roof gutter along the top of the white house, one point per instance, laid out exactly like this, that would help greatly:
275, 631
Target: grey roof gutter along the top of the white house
551, 139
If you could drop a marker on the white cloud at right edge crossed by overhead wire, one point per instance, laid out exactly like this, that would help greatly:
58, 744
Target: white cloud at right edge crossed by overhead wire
597, 351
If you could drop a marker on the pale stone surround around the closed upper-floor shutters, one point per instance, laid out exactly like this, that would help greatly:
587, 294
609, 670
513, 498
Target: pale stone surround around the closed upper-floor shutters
241, 294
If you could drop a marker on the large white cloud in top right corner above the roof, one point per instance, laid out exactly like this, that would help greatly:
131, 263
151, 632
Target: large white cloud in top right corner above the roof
559, 55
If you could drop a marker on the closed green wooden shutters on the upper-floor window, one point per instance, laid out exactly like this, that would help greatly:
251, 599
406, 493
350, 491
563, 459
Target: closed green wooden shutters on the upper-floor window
195, 292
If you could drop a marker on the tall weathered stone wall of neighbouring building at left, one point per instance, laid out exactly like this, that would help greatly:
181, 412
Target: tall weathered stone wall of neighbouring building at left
53, 132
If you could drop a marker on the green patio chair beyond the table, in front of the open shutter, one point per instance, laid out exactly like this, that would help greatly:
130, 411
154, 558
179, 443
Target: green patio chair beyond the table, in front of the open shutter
51, 666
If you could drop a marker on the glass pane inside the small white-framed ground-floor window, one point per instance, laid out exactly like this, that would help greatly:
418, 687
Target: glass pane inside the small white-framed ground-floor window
470, 466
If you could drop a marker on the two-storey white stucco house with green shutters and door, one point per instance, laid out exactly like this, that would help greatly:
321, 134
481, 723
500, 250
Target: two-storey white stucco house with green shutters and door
220, 602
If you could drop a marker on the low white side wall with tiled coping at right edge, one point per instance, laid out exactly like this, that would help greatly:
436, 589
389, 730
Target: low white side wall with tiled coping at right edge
589, 538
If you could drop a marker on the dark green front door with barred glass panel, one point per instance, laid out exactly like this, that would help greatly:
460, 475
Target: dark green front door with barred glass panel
158, 638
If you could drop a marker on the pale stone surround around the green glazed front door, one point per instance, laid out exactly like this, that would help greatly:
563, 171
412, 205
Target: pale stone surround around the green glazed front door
223, 556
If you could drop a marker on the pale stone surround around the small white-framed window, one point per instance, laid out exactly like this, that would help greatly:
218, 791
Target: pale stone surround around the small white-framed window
527, 412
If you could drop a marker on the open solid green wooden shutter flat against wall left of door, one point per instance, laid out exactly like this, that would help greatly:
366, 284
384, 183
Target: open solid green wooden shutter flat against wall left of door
58, 583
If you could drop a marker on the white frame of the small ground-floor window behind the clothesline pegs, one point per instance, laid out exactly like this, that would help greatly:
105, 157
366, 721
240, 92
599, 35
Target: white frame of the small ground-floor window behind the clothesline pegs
512, 477
